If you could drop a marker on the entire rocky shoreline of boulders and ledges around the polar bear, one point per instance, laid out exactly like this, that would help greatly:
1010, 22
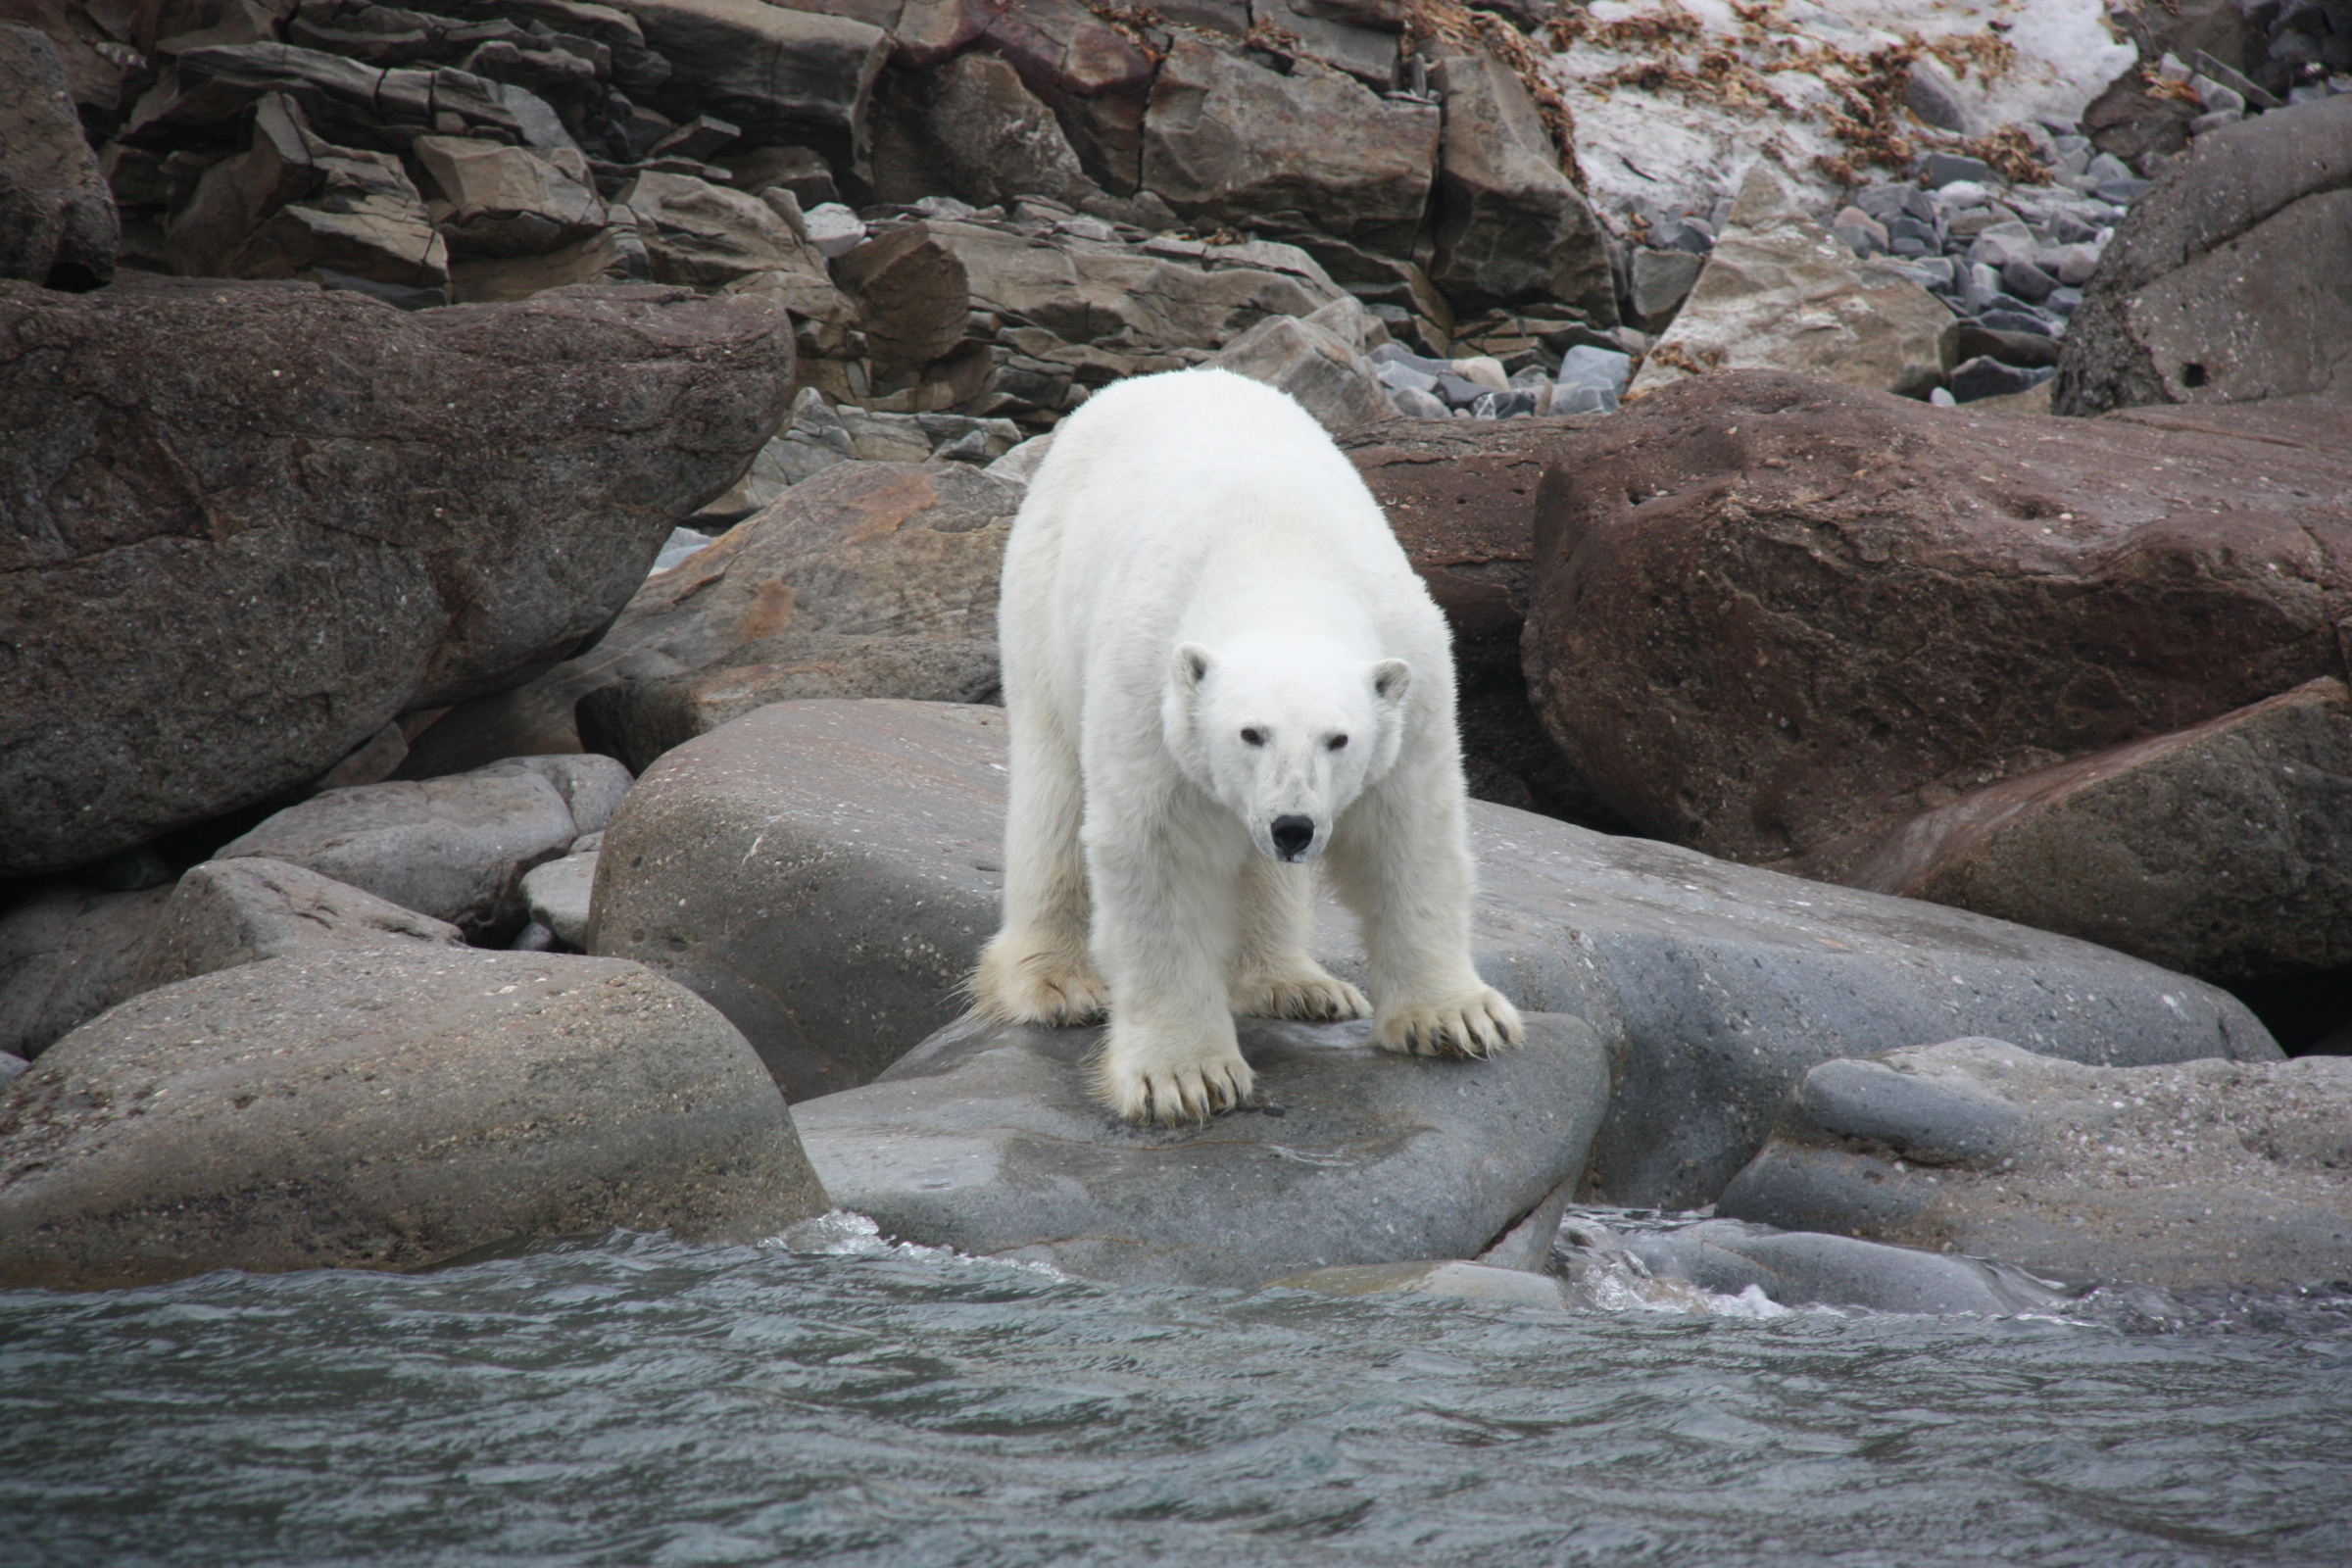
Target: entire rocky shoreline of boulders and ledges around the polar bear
505, 509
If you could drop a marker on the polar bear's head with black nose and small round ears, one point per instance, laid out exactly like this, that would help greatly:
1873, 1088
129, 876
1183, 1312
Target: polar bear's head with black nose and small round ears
1285, 735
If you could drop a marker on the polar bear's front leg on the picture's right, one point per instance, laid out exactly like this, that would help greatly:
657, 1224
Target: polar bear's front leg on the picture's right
1410, 880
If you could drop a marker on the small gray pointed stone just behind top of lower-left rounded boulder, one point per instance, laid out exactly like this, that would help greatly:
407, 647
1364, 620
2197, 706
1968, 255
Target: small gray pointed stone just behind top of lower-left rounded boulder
229, 913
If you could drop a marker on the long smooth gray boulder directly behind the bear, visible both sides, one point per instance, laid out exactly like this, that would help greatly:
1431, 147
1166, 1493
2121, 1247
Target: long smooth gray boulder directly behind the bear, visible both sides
829, 871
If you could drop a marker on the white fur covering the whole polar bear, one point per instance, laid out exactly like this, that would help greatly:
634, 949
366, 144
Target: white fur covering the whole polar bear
1198, 561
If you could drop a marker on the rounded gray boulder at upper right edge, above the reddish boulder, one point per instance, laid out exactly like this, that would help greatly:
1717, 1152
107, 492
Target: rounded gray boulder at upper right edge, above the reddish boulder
2226, 283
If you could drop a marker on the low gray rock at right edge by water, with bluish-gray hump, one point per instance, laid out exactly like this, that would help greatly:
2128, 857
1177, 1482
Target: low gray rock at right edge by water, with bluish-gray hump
2191, 1174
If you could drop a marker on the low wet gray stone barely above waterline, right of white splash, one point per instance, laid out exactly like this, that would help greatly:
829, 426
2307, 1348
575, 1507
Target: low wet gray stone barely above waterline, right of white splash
1815, 1271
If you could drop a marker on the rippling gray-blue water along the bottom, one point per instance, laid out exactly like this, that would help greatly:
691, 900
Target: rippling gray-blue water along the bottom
650, 1402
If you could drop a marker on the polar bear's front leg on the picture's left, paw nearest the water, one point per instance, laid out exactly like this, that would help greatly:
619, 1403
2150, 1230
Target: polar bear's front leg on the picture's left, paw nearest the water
1163, 934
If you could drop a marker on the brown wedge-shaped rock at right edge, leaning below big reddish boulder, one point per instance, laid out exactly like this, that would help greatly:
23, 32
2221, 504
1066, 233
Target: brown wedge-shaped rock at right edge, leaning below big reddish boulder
2224, 852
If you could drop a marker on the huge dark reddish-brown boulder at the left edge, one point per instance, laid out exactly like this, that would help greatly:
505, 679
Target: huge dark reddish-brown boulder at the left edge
253, 523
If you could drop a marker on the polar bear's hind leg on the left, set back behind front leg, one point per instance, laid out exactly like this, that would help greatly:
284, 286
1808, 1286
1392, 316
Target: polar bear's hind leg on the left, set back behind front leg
1038, 967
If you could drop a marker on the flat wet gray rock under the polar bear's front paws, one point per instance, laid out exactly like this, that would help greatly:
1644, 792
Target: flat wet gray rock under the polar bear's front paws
989, 1141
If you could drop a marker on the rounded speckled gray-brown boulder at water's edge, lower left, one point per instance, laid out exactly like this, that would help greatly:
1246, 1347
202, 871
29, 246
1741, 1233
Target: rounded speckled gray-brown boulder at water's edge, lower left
387, 1111
